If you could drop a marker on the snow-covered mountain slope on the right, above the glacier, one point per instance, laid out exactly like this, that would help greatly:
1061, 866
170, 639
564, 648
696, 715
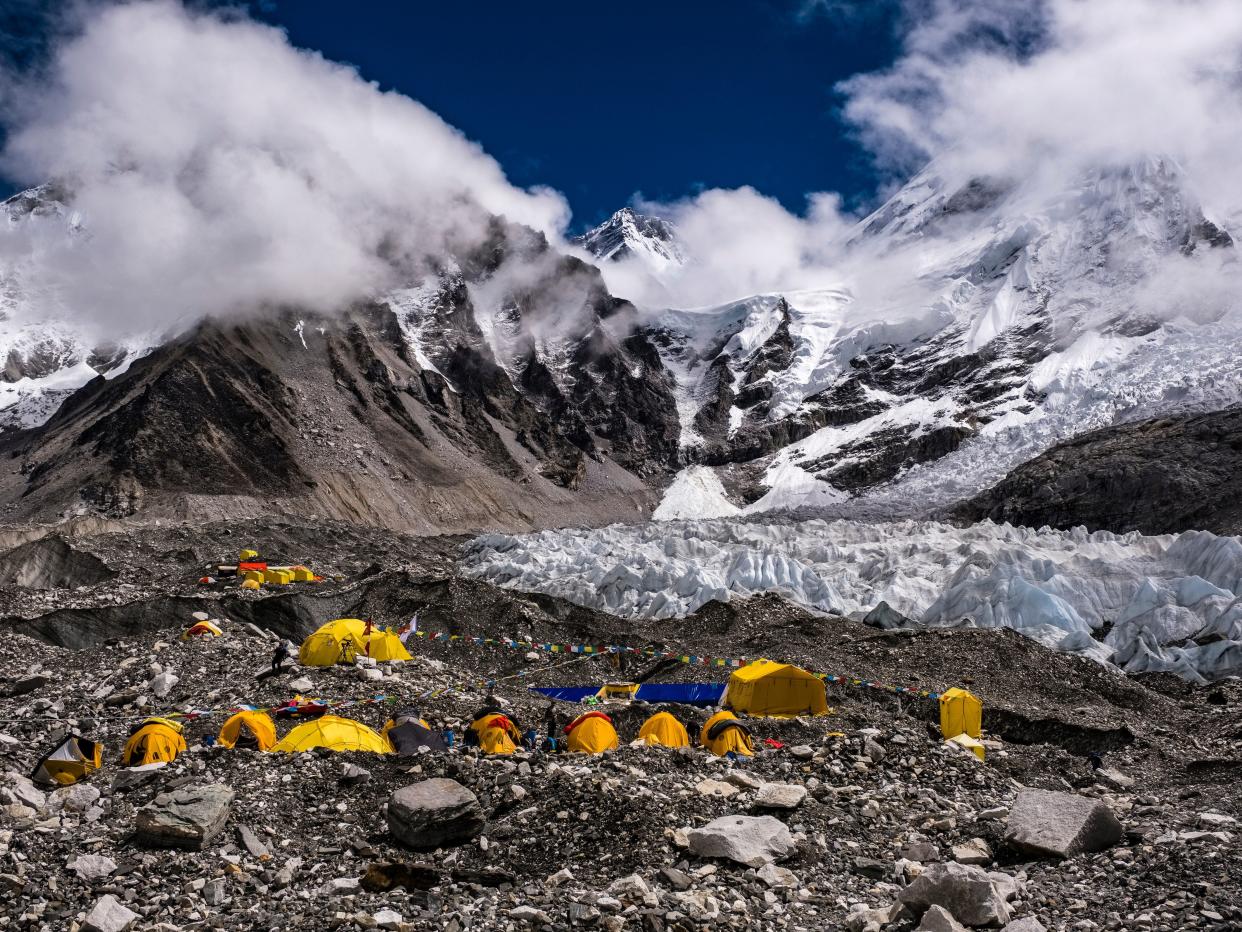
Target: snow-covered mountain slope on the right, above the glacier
976, 326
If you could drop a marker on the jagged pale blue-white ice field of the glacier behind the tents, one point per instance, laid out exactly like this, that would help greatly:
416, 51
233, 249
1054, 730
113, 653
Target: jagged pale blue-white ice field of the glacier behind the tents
1140, 603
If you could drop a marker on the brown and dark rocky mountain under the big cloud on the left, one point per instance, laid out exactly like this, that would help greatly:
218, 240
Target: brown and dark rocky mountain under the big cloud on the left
461, 402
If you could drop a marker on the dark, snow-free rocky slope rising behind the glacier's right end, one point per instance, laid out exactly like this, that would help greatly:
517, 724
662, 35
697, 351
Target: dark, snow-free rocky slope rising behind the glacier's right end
1157, 477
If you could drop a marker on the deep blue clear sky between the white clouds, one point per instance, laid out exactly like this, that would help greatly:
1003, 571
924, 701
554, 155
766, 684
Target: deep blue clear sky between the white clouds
607, 101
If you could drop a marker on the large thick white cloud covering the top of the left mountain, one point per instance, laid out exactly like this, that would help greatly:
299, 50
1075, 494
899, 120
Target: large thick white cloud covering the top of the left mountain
217, 168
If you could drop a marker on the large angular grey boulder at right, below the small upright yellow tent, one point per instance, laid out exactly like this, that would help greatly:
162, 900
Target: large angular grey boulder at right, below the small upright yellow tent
1051, 825
